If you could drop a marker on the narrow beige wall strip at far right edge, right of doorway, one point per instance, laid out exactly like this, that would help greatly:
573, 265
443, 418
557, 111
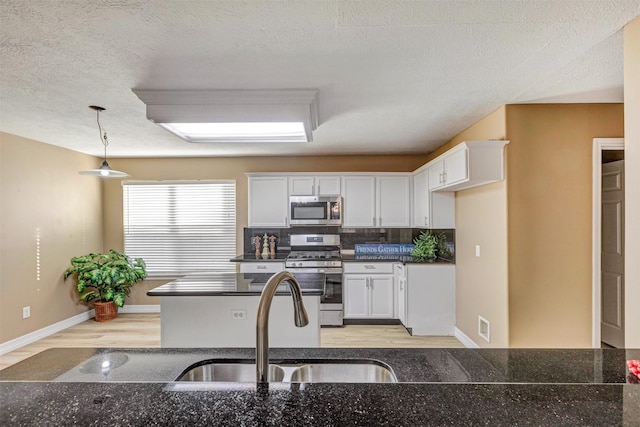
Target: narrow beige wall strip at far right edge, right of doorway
632, 181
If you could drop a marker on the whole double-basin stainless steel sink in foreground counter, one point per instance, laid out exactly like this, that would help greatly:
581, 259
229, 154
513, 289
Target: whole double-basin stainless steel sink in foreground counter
292, 371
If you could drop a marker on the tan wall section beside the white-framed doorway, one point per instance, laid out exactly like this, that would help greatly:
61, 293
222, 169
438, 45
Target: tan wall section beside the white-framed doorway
549, 219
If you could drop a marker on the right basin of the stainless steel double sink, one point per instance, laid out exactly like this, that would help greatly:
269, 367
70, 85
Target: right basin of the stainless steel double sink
342, 373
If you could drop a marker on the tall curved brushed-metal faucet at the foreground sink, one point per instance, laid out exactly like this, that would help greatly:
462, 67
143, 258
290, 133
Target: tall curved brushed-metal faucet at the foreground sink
262, 323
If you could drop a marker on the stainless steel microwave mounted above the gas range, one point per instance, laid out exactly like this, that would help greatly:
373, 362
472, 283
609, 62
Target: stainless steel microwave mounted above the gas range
315, 210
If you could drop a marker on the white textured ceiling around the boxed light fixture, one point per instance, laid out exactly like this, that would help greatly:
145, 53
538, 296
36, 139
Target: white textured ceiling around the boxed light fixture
393, 76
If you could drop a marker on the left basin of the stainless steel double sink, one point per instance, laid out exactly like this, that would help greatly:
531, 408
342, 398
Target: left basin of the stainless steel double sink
229, 372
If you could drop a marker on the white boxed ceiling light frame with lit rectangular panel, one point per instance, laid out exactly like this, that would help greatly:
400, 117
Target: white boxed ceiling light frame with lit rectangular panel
168, 107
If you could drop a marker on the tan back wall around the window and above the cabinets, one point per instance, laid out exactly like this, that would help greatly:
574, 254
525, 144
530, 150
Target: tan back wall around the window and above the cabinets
229, 168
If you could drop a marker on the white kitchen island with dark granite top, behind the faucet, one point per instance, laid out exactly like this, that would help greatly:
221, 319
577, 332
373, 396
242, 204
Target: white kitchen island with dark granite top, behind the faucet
219, 310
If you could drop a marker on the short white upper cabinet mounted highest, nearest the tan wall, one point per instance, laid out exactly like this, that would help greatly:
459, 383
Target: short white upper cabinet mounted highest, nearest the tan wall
467, 165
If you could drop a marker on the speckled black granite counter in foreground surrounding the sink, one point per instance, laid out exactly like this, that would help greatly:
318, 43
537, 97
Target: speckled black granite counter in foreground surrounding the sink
437, 387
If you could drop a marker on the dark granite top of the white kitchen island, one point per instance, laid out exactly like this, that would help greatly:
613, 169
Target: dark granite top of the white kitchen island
234, 284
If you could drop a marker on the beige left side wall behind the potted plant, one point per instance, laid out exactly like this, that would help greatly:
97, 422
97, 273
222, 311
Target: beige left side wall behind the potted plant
42, 194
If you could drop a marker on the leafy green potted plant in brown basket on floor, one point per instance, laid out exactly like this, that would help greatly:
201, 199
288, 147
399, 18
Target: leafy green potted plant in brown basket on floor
105, 280
